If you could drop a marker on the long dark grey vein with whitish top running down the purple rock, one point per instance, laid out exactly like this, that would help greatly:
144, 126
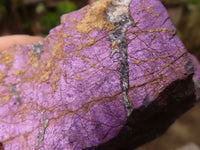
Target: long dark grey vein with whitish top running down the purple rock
119, 16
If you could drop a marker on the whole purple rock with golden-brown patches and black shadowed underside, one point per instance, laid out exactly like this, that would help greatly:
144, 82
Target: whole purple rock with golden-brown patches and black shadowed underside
113, 75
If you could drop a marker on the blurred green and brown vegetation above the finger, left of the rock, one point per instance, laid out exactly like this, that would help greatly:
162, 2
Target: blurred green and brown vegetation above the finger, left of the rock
34, 17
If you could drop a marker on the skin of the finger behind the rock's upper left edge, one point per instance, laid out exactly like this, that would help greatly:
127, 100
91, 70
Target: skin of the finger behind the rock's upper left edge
7, 41
